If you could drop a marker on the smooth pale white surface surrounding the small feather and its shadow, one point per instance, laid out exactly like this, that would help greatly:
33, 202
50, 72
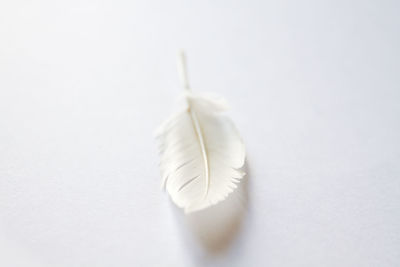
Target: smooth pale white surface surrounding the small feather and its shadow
315, 92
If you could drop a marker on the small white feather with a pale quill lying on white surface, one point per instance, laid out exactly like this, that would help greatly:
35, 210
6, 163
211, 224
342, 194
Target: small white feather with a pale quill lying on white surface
201, 151
